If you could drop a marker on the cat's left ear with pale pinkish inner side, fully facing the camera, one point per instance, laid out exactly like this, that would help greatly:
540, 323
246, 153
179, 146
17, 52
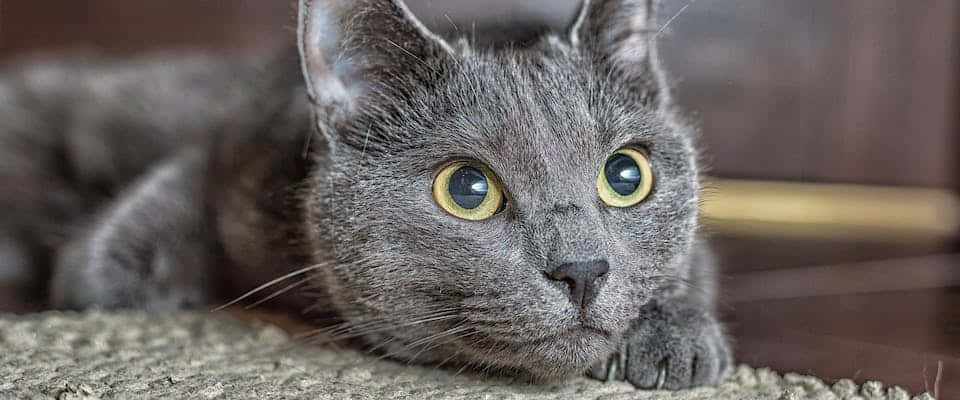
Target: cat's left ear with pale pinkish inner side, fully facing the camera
352, 48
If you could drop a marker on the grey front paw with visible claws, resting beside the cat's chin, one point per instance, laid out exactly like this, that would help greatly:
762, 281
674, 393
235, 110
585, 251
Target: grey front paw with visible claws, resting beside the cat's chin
669, 350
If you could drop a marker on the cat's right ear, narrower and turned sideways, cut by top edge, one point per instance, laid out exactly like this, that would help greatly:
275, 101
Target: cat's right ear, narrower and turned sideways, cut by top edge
622, 34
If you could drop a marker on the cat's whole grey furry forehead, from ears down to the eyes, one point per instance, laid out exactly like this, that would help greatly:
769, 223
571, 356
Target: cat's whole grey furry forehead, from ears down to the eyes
520, 111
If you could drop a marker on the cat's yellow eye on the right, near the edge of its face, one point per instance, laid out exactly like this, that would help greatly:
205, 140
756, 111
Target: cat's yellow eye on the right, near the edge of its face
626, 179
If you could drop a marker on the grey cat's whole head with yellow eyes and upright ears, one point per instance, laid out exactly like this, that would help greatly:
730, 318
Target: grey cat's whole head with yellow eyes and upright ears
507, 208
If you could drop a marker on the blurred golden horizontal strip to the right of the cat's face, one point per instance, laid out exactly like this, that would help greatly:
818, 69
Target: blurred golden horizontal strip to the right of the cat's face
830, 211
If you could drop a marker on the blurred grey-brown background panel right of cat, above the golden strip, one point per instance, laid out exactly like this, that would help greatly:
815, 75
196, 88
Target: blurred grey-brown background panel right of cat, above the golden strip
857, 91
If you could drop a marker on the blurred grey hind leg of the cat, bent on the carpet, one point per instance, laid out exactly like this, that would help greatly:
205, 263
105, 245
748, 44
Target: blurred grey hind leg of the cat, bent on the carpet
150, 249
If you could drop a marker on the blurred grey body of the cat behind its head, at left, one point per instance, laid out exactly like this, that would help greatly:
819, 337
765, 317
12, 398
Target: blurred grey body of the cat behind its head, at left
86, 134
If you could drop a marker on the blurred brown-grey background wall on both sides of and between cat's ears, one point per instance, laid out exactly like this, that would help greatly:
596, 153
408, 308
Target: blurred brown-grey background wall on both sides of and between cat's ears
824, 90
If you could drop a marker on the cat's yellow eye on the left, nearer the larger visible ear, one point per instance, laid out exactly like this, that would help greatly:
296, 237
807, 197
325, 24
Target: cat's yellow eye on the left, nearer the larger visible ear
468, 191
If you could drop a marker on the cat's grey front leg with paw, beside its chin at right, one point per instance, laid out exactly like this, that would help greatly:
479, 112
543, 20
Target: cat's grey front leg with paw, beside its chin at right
674, 343
